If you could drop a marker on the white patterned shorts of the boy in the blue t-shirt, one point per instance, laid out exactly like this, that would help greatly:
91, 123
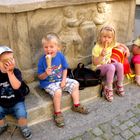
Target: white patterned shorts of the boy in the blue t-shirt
53, 87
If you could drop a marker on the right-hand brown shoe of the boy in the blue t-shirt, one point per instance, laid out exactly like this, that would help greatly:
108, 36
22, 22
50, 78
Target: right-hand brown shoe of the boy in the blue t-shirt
80, 109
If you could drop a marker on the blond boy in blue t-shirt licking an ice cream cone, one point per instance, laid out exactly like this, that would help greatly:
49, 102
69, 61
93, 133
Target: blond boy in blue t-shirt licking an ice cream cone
52, 72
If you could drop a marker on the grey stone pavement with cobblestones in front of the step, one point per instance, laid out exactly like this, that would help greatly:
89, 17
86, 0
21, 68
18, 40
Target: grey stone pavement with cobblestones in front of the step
118, 120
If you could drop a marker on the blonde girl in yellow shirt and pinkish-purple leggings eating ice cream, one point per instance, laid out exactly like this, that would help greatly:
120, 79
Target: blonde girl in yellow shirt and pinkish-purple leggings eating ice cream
101, 60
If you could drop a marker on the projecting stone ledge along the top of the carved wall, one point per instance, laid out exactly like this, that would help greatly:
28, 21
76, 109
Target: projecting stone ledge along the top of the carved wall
17, 6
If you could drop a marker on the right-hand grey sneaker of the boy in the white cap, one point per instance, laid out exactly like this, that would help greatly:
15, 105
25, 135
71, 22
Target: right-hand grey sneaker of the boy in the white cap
26, 132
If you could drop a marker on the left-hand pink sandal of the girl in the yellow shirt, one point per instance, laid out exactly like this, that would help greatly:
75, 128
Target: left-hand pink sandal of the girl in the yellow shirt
108, 94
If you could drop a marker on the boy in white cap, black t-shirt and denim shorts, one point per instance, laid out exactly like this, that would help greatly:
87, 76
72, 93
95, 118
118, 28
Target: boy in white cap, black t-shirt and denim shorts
11, 89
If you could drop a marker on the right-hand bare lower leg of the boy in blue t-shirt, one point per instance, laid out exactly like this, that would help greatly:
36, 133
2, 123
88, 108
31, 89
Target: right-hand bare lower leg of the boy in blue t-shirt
75, 94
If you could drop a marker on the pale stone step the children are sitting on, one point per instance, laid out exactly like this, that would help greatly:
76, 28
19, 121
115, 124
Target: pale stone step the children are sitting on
40, 107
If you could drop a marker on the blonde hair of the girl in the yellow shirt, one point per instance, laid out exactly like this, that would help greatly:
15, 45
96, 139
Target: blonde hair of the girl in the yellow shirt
108, 29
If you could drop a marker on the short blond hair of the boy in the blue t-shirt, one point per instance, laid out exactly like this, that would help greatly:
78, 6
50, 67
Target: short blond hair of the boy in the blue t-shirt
51, 37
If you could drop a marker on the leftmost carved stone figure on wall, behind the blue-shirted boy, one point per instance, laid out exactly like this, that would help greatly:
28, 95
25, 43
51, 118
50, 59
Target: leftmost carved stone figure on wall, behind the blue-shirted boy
71, 41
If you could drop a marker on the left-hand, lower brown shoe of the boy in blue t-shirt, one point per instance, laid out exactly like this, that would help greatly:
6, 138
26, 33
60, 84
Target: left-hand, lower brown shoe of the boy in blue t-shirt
59, 120
